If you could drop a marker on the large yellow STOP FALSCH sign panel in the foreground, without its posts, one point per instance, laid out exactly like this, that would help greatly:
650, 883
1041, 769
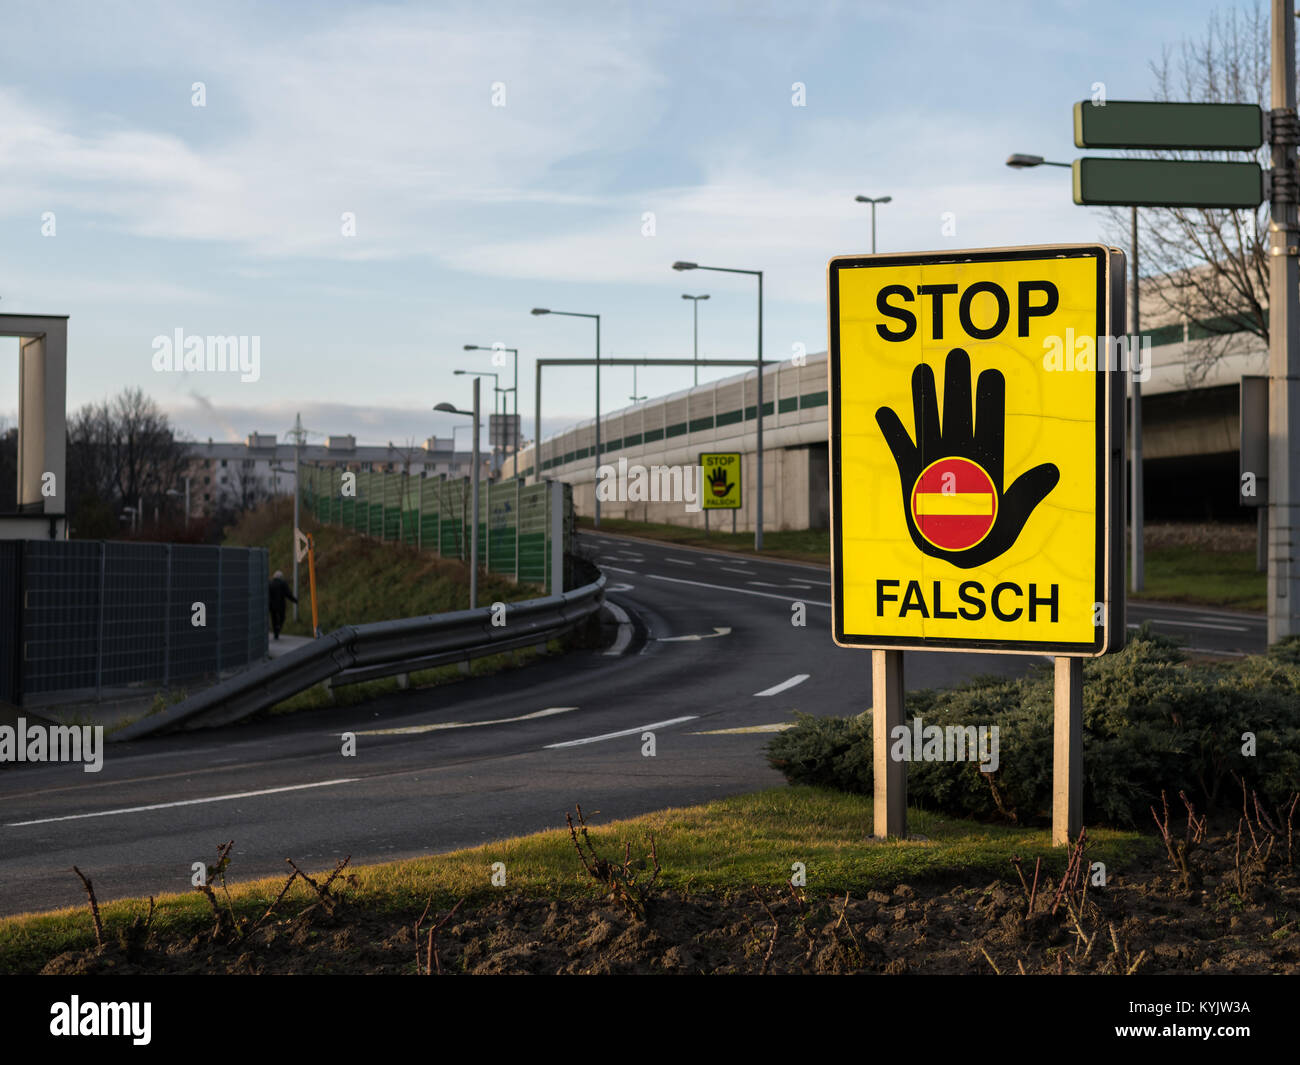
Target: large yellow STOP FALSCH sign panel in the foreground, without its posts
977, 451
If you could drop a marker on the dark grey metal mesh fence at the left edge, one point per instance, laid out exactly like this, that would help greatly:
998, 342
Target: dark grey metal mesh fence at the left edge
90, 617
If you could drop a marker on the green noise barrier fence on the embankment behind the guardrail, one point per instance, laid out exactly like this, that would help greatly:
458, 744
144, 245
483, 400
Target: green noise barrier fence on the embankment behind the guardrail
435, 514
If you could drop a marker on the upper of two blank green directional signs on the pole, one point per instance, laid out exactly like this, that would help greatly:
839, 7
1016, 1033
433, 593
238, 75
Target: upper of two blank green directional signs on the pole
1128, 124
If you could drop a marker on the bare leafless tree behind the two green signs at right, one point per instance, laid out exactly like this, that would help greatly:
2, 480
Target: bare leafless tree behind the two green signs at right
1210, 267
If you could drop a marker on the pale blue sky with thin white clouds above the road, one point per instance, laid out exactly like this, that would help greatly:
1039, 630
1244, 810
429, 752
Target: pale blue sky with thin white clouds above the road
227, 219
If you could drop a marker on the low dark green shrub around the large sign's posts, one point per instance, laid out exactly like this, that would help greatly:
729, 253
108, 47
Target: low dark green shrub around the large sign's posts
1151, 722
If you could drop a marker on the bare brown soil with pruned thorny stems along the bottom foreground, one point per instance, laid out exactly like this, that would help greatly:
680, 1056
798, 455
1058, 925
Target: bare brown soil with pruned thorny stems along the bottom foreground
1237, 910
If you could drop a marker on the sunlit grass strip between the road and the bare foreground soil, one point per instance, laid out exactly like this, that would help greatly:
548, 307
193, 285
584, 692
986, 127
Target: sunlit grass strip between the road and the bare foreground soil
722, 848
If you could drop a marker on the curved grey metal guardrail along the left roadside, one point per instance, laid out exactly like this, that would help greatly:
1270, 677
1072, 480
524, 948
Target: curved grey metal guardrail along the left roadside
357, 653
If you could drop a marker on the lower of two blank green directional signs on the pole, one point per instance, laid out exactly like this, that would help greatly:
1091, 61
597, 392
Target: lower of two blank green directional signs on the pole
1160, 183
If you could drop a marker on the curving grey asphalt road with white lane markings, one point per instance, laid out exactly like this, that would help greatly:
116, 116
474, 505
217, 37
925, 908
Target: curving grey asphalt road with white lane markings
709, 659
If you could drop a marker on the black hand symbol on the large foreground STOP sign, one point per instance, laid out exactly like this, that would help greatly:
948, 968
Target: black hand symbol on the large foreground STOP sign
985, 444
